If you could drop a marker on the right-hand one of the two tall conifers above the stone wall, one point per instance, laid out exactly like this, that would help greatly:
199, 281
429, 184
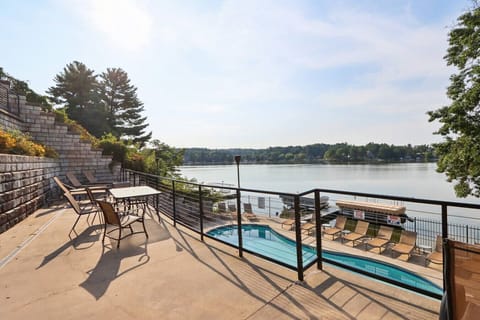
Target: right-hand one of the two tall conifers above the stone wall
120, 101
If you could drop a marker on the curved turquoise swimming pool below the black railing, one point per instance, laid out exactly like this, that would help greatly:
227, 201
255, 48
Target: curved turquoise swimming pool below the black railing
267, 242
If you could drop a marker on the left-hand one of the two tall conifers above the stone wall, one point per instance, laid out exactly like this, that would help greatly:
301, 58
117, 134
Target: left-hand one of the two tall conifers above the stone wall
76, 89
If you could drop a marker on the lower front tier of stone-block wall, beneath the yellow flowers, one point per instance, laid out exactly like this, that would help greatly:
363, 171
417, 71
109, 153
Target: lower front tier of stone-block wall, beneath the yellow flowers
25, 184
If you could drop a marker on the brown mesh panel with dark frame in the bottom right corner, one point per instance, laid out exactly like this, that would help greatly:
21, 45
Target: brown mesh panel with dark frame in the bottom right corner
462, 267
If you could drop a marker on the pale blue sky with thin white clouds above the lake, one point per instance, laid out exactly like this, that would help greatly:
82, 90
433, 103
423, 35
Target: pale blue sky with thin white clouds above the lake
251, 73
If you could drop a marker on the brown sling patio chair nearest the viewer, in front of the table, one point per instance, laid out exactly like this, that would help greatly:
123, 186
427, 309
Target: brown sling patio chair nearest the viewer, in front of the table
112, 218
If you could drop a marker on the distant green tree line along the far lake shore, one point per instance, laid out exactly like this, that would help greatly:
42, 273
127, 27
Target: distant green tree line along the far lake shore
314, 153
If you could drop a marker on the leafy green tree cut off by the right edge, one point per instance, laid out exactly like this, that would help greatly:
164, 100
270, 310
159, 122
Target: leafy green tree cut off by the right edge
459, 153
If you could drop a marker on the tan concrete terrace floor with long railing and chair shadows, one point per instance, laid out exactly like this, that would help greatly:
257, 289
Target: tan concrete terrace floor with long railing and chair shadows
173, 275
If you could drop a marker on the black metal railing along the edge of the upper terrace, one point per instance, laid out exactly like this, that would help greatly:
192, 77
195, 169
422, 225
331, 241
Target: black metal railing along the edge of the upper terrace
195, 206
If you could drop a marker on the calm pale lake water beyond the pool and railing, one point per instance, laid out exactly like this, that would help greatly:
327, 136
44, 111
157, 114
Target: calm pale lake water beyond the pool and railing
417, 180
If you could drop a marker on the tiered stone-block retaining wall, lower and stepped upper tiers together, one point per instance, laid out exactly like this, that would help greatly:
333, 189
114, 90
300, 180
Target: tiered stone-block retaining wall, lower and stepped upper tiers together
25, 181
